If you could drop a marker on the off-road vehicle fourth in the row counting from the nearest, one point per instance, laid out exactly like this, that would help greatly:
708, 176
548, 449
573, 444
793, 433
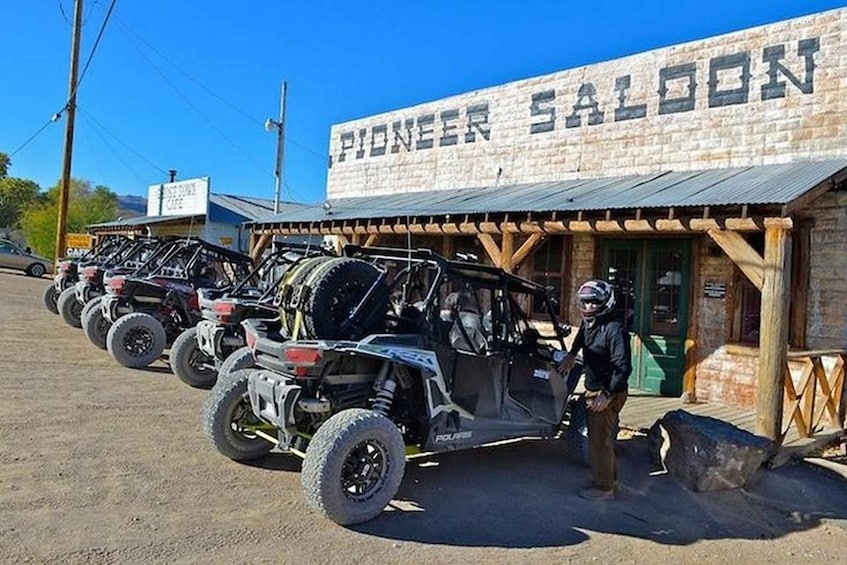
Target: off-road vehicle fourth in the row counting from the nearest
139, 261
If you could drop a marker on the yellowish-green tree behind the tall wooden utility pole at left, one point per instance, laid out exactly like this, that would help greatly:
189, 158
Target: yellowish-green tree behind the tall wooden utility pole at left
86, 205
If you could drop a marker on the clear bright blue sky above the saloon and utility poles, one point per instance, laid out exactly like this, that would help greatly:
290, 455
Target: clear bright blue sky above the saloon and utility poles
187, 84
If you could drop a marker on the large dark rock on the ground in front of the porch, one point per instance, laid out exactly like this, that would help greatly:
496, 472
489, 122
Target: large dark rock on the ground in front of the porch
706, 453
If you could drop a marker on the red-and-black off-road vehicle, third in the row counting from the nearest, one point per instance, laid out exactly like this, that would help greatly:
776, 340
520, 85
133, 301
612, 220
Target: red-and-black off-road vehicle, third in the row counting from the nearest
148, 313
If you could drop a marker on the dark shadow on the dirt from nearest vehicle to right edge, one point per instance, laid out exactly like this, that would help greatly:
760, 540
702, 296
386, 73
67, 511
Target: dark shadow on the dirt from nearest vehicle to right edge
525, 495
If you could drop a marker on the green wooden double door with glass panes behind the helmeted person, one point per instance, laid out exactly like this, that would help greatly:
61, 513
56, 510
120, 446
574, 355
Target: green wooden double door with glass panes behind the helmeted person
652, 283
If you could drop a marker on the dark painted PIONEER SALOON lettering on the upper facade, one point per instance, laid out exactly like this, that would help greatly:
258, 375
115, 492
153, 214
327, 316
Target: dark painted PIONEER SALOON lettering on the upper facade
727, 80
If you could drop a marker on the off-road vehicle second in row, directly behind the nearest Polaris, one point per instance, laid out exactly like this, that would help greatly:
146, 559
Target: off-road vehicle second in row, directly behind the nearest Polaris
216, 344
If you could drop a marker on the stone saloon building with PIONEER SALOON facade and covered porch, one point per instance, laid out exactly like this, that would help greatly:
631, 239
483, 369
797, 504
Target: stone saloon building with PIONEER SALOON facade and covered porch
706, 180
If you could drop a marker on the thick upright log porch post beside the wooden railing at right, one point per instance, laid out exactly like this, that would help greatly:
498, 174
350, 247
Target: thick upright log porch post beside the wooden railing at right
773, 328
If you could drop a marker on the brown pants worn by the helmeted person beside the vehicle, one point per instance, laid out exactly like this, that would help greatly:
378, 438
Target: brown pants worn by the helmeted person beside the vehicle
602, 433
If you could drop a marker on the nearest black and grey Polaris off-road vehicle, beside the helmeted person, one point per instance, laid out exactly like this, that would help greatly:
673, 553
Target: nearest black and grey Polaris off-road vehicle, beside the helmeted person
451, 360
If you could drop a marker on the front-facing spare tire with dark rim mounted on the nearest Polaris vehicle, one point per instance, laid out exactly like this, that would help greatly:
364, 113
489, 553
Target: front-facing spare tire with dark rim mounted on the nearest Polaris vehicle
336, 289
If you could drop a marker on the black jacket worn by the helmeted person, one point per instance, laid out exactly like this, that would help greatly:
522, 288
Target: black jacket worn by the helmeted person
605, 353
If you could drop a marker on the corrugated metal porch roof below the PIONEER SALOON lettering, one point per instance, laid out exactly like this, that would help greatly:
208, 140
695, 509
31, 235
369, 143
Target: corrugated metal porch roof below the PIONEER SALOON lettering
763, 184
